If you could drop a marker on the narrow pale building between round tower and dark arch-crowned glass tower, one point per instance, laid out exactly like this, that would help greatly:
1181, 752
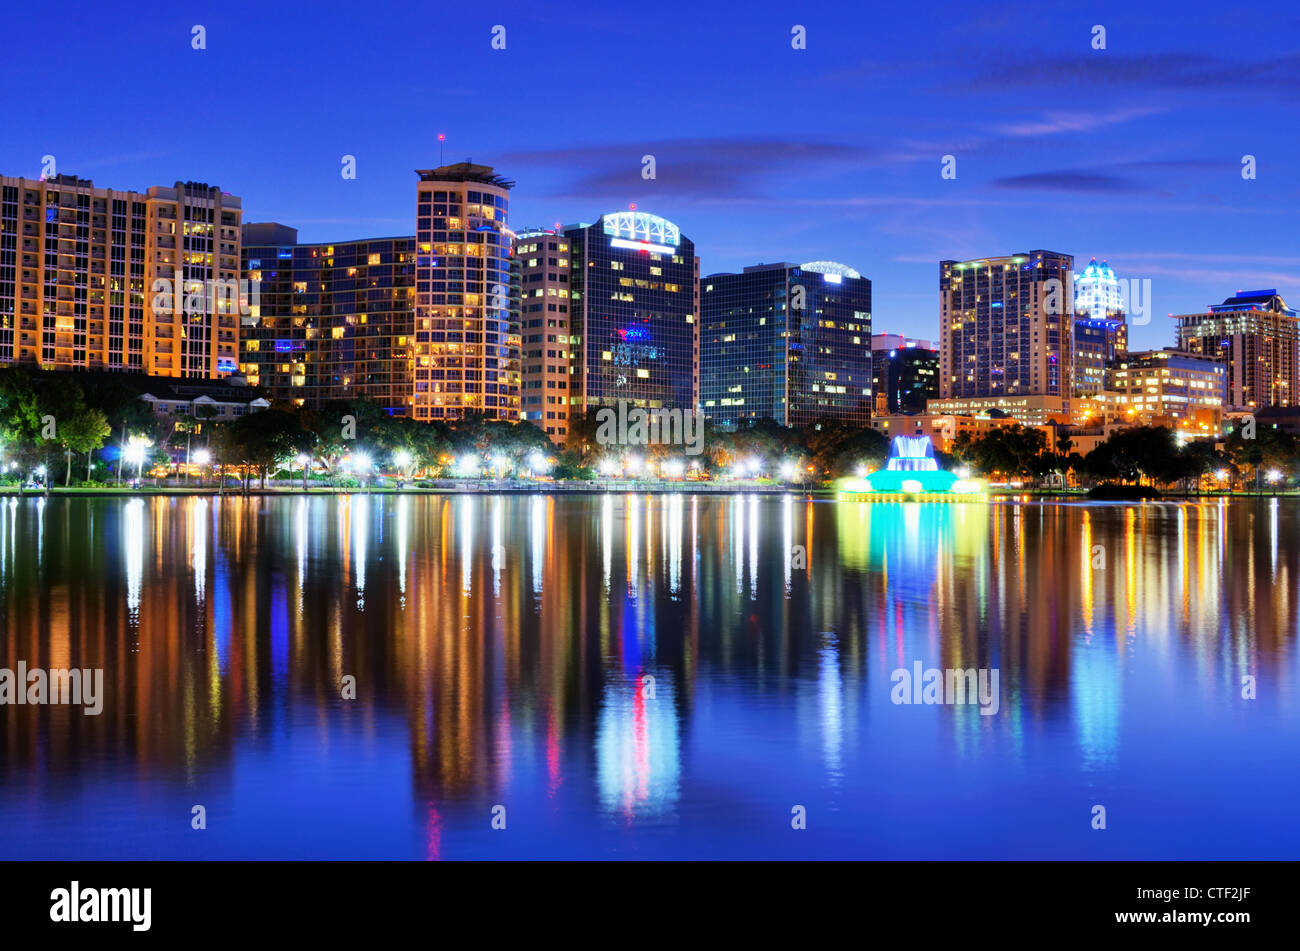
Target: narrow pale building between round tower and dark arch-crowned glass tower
548, 344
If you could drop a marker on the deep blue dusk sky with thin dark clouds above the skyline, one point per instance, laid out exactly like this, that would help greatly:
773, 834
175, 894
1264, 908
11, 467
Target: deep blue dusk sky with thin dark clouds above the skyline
764, 153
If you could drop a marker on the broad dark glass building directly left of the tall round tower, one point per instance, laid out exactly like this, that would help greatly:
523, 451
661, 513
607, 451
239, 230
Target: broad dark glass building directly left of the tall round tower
336, 320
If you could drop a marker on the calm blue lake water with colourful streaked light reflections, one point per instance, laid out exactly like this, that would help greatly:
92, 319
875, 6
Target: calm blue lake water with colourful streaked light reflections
501, 649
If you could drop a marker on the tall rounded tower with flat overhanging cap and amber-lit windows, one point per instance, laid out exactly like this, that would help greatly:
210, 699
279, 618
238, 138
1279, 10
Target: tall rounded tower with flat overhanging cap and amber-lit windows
466, 341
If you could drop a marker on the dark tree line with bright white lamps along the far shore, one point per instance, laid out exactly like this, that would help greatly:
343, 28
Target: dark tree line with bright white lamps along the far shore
71, 432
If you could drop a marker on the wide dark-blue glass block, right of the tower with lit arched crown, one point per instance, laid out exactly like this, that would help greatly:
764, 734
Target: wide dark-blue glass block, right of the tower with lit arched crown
790, 342
